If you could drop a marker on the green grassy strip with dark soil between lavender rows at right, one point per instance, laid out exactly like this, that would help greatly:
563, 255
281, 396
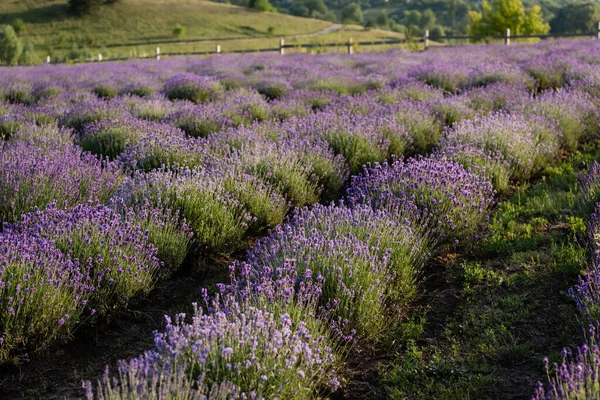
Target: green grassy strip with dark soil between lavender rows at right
503, 307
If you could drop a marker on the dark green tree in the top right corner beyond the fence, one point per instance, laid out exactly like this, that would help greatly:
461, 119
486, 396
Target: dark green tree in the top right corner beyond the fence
576, 18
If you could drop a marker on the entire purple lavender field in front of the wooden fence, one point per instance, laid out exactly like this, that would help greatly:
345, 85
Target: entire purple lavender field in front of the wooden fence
406, 225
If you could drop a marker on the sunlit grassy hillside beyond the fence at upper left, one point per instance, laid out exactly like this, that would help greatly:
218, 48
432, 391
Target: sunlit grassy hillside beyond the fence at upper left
136, 22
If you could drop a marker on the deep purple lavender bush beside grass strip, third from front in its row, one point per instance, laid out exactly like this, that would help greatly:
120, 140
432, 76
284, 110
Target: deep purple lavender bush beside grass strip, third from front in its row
456, 202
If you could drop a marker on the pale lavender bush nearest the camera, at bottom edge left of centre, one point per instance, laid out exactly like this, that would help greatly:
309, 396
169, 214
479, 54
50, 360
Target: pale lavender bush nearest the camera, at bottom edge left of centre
236, 351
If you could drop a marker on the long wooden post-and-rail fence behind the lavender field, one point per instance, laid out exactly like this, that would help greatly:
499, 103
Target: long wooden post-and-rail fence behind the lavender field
350, 44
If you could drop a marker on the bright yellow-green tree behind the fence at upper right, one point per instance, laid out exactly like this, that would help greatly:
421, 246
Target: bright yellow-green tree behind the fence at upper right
499, 15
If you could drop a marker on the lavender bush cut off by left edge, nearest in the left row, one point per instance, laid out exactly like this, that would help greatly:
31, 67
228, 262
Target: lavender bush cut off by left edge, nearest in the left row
43, 294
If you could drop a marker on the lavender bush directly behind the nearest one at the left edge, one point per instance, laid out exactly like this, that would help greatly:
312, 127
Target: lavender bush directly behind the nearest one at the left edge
114, 254
